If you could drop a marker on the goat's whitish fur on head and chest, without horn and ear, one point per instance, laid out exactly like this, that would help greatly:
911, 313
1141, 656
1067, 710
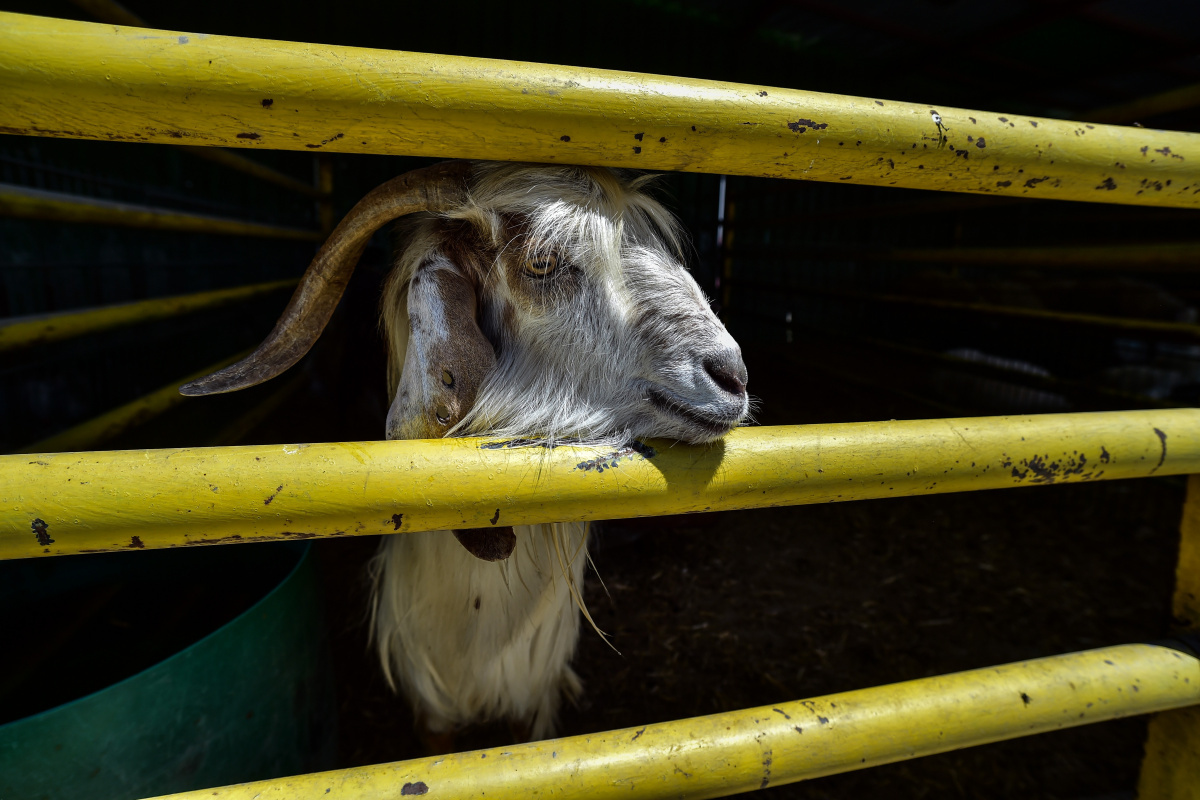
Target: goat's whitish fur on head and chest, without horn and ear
615, 350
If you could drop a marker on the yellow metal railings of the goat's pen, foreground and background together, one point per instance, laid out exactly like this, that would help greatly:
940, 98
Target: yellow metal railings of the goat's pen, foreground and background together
133, 85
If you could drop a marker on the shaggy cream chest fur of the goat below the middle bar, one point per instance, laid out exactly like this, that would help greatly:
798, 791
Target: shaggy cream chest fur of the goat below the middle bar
507, 659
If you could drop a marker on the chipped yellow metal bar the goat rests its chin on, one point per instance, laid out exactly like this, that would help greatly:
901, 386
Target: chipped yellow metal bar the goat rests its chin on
169, 498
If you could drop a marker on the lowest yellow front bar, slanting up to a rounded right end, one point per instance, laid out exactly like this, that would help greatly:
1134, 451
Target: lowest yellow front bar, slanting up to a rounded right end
775, 745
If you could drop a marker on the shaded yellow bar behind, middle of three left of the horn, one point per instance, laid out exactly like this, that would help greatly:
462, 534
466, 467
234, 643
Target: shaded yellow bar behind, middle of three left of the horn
22, 333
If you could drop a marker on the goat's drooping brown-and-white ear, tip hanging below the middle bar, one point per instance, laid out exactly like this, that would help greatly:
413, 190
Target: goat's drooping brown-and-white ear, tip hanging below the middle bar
448, 359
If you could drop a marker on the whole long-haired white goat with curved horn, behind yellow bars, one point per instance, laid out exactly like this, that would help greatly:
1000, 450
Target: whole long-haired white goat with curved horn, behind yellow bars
536, 303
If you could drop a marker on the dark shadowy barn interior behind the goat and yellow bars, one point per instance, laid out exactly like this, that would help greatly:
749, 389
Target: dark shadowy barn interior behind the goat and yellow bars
851, 304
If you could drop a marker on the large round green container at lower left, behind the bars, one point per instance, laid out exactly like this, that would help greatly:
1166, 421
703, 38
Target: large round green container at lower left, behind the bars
251, 700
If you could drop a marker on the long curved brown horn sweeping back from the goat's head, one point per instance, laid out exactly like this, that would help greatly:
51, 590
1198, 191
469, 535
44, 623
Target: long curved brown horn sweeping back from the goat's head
433, 189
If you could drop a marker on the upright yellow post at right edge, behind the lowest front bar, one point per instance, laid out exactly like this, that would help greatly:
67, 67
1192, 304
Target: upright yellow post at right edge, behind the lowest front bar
1172, 768
